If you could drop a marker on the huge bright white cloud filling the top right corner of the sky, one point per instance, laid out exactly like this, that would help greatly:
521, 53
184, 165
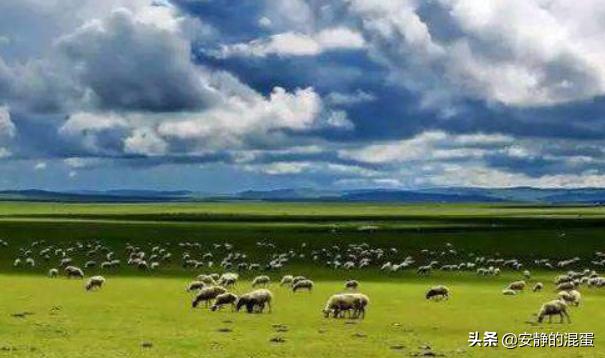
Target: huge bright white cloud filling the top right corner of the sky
516, 52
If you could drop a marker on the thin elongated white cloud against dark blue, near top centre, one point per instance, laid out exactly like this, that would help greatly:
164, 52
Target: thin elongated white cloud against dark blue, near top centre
296, 44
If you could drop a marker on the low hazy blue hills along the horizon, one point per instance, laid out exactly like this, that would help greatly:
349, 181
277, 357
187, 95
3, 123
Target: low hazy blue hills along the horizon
593, 196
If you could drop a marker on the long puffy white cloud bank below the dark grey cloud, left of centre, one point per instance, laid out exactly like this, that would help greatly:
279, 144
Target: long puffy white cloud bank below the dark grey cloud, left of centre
240, 119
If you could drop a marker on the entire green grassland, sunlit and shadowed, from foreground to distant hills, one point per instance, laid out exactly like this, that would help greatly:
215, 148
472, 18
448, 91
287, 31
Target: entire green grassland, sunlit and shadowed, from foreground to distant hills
58, 318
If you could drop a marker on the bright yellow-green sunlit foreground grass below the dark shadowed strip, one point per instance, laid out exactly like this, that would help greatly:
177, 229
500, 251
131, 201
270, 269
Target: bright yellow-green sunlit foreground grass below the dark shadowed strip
116, 320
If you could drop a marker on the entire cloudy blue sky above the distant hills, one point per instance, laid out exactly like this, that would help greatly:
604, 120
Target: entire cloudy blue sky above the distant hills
221, 96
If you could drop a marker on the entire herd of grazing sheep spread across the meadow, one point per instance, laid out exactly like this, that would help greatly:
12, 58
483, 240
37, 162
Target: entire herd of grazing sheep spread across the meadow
215, 291
